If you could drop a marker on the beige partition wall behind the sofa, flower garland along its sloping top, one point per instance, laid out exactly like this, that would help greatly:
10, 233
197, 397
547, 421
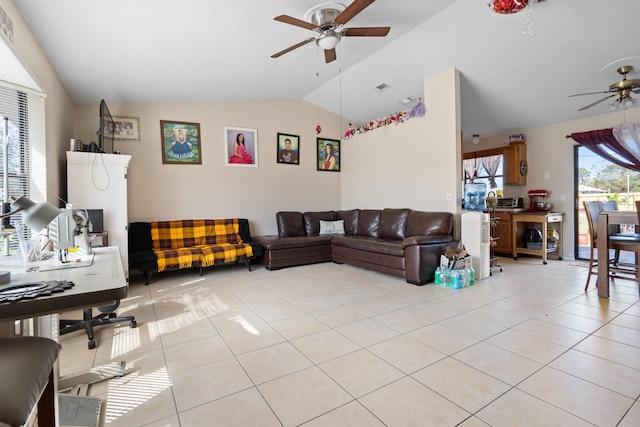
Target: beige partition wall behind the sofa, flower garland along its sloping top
414, 164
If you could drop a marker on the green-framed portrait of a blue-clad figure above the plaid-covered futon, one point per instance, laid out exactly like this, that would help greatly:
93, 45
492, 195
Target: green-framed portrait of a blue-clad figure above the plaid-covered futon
180, 143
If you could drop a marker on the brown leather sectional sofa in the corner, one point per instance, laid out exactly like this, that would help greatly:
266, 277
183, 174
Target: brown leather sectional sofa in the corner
402, 242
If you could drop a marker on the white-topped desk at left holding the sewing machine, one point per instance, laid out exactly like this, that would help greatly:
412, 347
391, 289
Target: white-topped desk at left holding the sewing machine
101, 283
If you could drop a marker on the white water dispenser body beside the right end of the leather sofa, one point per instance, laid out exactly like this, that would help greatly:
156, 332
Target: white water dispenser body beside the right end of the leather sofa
474, 233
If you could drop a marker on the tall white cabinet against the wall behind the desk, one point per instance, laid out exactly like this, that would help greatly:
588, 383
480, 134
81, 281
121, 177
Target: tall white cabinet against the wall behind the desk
99, 181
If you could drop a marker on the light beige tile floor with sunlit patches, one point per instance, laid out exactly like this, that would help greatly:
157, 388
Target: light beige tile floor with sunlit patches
332, 345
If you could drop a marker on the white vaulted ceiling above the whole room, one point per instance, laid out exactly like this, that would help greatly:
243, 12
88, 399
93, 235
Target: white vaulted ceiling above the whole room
517, 71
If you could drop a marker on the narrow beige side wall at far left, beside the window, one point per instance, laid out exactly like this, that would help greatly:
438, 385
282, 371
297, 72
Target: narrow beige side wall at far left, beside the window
59, 108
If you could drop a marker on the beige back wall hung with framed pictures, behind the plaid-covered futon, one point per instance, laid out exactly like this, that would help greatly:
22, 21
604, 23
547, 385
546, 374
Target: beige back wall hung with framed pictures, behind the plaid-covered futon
213, 190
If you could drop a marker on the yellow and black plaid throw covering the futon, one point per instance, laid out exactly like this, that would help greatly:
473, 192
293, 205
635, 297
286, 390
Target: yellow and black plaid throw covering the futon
197, 243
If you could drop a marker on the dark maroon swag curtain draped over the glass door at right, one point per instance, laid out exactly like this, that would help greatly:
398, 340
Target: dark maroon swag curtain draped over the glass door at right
603, 143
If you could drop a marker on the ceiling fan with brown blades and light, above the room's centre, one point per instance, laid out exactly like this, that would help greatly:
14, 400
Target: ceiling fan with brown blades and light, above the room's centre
328, 21
